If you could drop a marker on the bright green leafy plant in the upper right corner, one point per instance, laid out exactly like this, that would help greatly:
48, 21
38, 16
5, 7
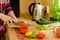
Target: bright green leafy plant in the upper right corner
55, 10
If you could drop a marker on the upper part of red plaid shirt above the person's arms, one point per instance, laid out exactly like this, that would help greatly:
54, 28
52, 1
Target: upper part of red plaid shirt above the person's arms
5, 6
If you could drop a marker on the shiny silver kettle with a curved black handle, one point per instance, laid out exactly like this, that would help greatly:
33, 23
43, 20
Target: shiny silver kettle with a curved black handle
36, 10
